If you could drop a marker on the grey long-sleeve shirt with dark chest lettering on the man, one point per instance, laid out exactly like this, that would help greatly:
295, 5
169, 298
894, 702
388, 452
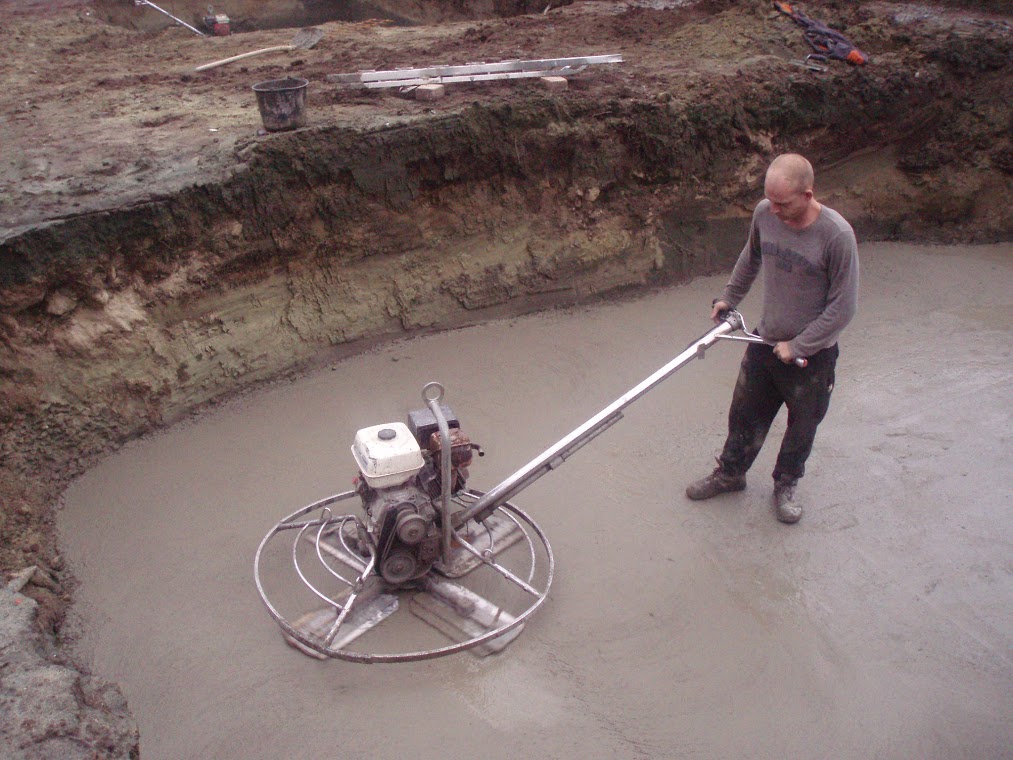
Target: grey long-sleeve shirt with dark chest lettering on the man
810, 277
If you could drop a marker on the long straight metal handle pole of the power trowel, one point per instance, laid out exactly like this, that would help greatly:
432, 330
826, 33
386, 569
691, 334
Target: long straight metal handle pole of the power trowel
560, 452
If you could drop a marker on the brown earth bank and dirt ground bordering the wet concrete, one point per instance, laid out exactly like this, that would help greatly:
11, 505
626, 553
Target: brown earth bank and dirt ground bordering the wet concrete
160, 252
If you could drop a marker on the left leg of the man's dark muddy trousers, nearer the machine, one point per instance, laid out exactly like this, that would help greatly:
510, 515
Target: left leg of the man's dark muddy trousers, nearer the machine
755, 404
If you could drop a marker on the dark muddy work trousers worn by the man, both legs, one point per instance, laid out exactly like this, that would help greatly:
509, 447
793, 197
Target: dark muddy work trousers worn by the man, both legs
765, 383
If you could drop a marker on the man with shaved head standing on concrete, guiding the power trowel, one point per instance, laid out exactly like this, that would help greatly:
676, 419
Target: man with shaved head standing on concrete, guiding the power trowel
809, 258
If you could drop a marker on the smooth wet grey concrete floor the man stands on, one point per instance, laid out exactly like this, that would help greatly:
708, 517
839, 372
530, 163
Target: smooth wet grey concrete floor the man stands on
880, 627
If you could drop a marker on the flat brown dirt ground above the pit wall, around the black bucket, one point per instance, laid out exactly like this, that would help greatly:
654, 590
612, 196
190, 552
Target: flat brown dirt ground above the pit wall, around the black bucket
104, 116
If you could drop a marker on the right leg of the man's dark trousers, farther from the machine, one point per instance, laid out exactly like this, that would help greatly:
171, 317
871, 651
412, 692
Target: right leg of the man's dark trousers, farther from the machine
807, 394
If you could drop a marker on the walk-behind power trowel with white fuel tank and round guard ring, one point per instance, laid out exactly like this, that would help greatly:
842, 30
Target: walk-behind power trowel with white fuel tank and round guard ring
471, 564
